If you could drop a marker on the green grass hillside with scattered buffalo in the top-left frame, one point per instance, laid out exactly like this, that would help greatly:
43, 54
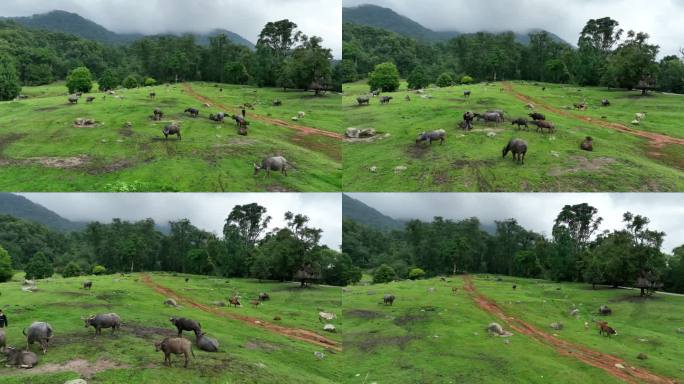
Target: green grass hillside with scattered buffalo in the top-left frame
42, 150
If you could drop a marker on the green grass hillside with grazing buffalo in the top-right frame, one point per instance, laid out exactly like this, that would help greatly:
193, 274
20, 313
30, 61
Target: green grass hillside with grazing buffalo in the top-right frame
472, 161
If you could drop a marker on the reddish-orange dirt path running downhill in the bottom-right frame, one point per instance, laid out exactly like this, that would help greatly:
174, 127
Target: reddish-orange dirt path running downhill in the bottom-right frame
594, 358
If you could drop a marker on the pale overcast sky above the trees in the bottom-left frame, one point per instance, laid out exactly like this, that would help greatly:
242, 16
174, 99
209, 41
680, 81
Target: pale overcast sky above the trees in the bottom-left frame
207, 211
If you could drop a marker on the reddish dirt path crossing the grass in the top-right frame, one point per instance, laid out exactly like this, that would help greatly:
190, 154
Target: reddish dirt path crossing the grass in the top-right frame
657, 140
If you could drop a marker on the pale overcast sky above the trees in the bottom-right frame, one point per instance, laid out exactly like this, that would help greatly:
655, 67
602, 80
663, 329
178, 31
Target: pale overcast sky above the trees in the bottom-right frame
536, 211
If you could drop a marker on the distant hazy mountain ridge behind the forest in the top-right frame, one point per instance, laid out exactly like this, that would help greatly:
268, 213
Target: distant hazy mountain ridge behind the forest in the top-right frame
386, 18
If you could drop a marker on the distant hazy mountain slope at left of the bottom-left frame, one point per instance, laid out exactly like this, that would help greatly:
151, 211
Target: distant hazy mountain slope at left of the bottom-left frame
23, 208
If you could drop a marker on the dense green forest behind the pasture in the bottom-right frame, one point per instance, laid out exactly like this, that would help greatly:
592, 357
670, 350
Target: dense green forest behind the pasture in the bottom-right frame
574, 252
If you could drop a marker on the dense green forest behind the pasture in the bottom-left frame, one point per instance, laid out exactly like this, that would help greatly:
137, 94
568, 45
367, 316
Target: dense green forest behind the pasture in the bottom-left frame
247, 248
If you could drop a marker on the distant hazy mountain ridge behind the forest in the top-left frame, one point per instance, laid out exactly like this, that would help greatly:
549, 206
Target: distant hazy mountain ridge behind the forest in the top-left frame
72, 23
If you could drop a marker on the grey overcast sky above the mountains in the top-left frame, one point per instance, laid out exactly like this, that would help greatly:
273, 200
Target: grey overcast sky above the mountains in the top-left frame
314, 17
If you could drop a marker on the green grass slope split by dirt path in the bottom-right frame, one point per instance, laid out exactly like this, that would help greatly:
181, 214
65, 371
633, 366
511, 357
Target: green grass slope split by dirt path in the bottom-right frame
440, 337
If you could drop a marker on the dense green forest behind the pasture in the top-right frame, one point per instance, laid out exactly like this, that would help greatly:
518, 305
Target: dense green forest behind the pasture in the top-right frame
605, 55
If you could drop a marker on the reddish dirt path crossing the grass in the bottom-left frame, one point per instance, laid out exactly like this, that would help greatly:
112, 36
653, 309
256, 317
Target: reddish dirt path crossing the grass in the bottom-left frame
299, 334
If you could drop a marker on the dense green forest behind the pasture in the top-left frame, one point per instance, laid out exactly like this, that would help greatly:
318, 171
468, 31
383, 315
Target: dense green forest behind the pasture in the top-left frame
284, 57
